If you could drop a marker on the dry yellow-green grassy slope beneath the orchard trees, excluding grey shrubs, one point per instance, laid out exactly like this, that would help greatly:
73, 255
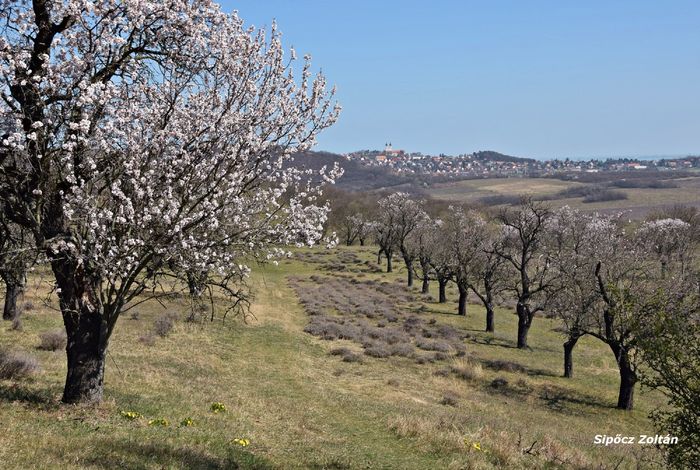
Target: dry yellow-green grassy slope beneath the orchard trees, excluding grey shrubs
301, 407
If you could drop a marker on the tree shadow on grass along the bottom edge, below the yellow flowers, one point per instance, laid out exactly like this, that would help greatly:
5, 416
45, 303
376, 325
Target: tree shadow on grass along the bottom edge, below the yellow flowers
133, 454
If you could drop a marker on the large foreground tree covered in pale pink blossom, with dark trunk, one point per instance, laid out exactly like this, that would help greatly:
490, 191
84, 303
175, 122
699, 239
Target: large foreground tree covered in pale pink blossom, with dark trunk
148, 140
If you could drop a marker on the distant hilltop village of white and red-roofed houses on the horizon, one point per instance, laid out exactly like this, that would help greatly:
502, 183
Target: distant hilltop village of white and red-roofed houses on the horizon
494, 164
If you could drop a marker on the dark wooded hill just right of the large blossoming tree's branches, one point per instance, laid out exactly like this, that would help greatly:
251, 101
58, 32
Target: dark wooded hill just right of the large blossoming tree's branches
356, 176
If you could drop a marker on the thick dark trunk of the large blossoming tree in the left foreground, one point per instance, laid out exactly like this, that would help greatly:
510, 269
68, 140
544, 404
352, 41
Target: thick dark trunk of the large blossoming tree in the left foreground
87, 330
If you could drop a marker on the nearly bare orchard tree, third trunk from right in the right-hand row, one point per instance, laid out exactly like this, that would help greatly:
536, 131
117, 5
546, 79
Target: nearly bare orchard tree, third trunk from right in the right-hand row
524, 232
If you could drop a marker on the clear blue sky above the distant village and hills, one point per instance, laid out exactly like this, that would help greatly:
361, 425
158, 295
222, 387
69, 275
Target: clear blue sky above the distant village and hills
541, 79
